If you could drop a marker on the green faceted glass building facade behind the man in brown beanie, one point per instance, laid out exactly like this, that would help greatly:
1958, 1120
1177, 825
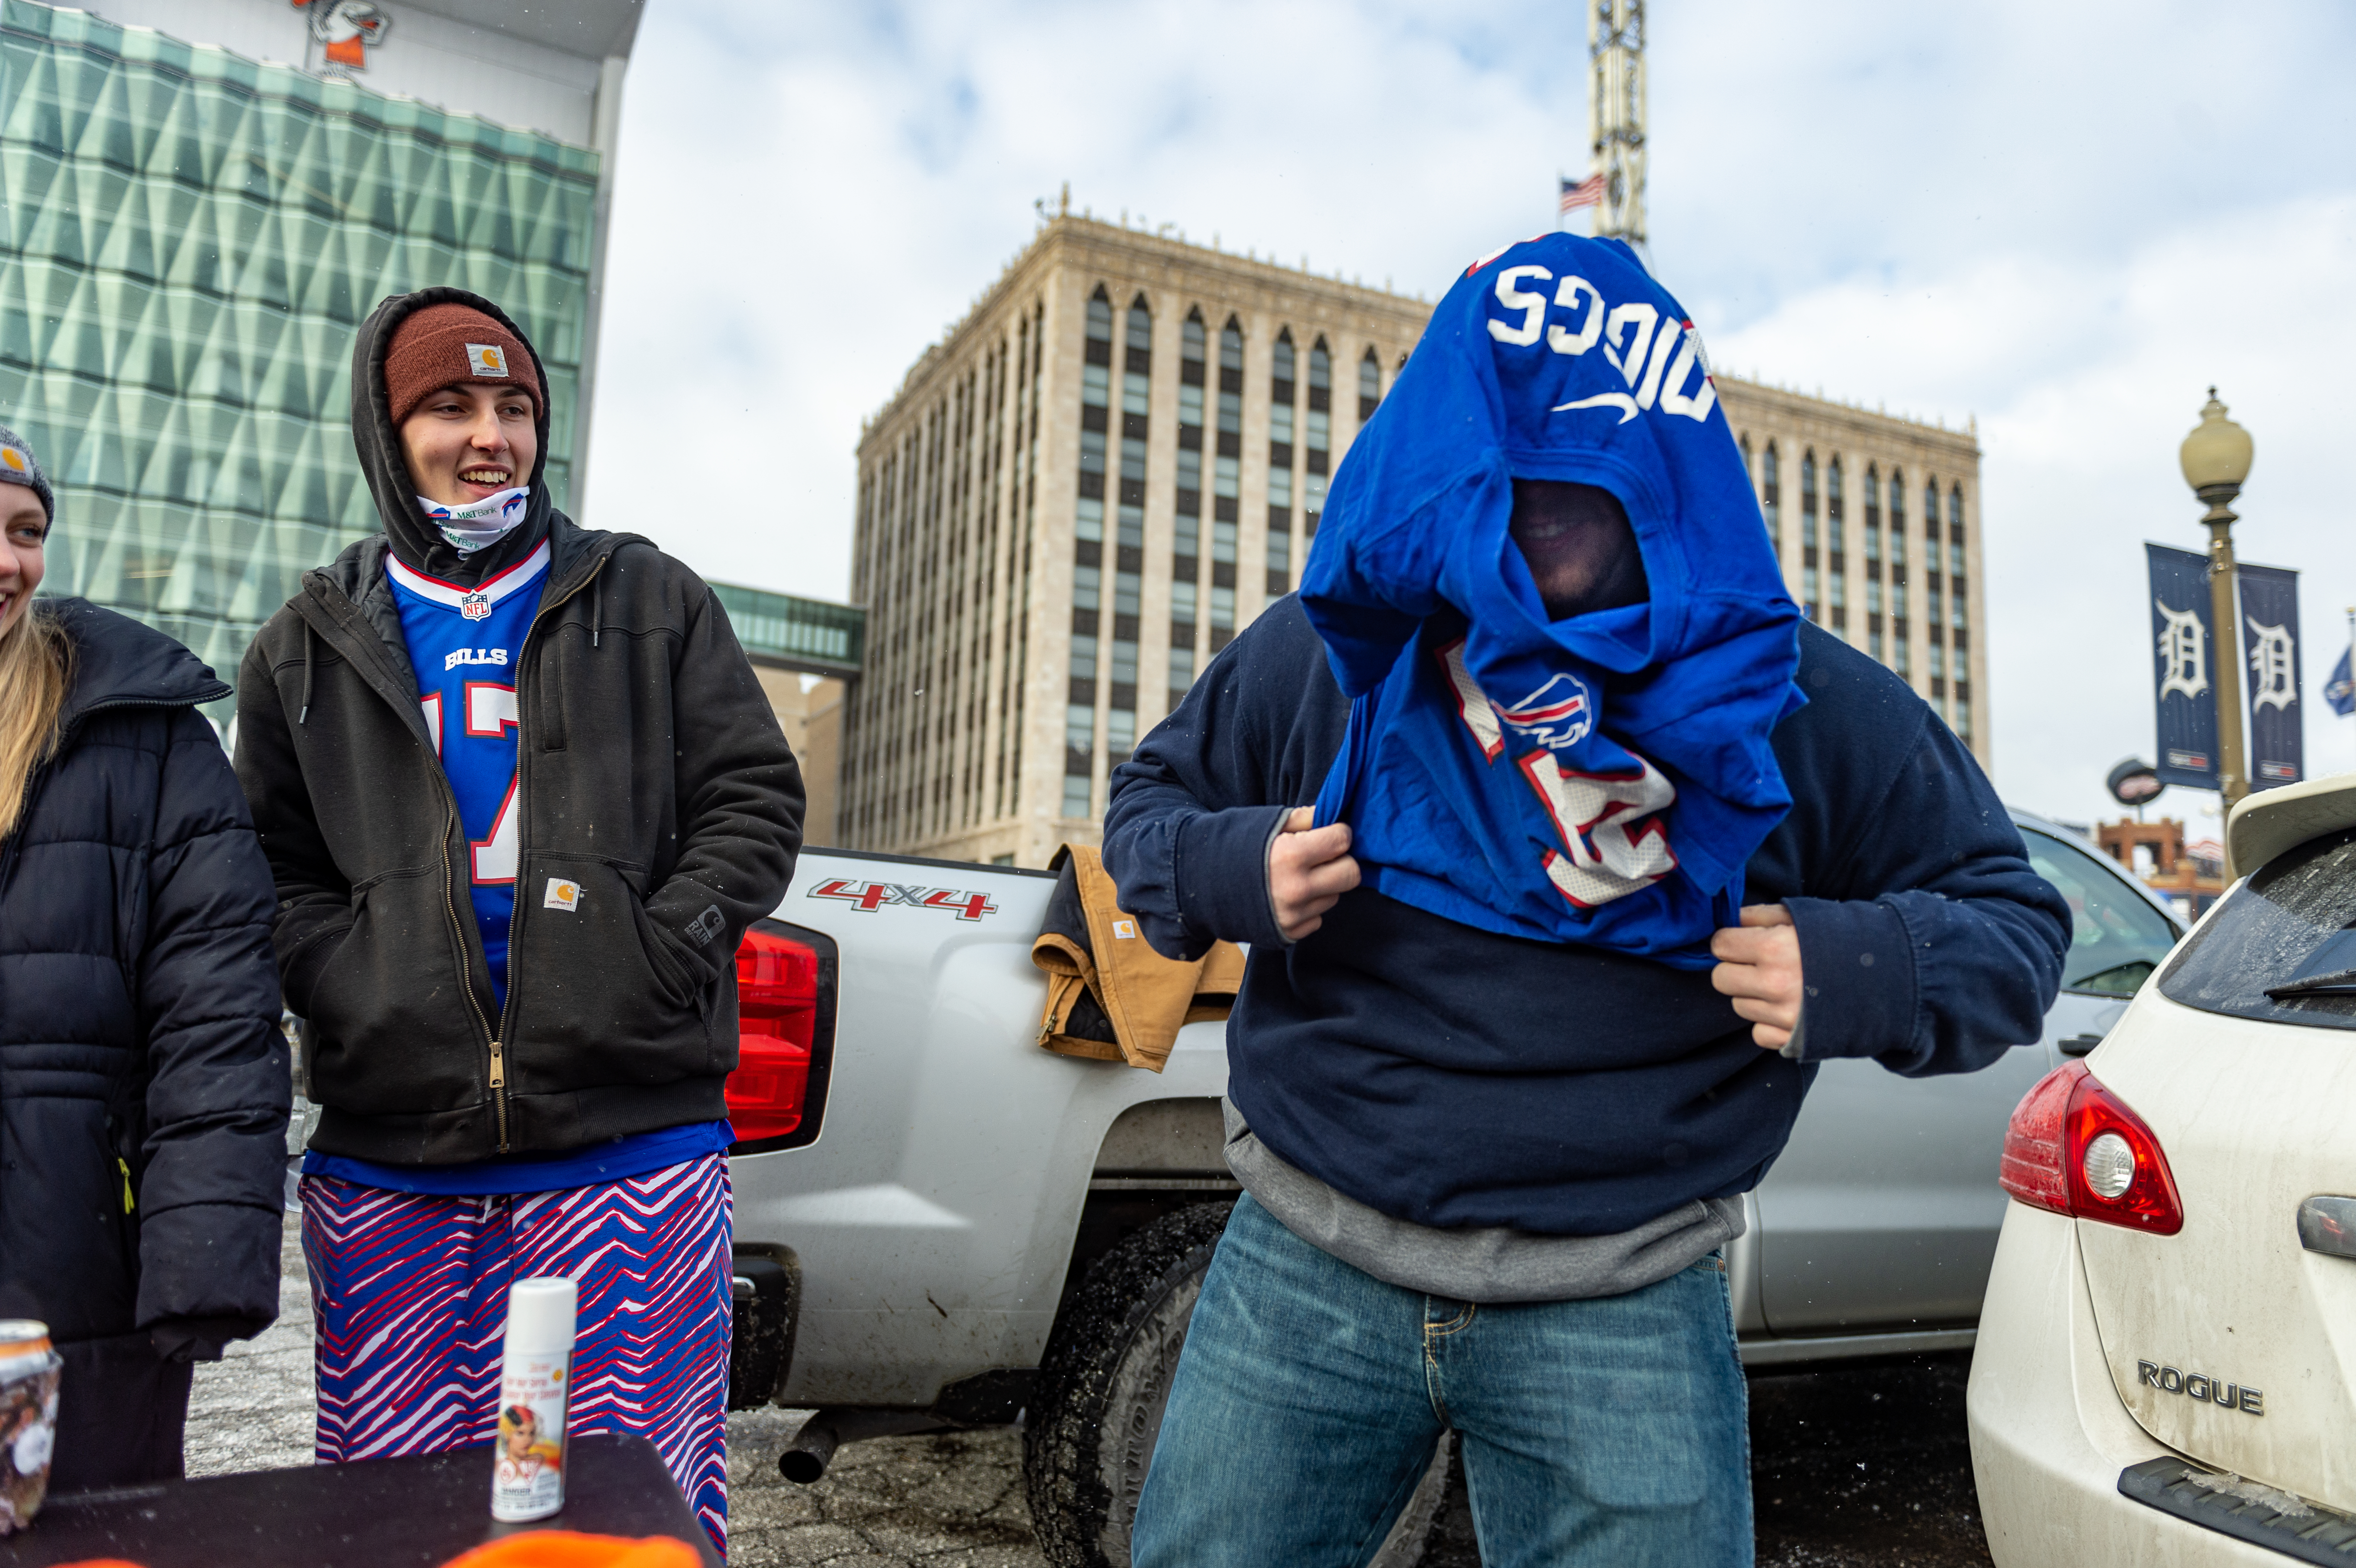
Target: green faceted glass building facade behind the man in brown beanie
187, 248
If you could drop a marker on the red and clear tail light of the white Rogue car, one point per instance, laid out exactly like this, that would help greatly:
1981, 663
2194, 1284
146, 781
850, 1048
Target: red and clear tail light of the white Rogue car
2077, 1150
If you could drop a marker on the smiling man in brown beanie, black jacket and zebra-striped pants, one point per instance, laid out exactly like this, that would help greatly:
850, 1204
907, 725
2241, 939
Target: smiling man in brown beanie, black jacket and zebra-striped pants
522, 795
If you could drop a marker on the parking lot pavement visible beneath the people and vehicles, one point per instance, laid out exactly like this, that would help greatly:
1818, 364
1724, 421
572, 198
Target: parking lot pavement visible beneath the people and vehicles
1862, 1468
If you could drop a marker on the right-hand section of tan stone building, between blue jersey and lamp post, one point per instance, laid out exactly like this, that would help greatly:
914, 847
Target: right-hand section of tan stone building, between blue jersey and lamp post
1879, 529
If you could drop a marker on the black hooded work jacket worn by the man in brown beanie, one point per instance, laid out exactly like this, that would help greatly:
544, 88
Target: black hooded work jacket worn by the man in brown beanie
651, 773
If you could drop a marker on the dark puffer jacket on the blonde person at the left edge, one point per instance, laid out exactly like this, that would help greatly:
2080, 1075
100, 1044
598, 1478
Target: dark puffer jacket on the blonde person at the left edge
140, 1051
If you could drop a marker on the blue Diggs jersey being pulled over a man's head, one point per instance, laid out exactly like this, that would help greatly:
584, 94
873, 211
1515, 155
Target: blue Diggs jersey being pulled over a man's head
1608, 776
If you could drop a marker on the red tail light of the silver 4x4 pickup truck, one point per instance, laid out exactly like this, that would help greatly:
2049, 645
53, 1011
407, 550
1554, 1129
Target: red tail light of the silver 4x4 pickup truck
786, 1004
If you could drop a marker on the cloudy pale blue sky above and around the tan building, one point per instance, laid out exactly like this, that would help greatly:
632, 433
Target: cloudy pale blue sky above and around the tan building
2065, 222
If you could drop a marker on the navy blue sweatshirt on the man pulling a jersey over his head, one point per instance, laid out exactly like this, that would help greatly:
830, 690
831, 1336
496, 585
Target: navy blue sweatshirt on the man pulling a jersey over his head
1457, 1077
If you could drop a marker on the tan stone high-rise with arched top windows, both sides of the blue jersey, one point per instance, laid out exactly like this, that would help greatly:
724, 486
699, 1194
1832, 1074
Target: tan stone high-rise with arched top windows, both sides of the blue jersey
1120, 458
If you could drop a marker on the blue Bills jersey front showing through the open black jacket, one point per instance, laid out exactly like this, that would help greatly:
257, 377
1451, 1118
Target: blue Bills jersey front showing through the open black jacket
465, 646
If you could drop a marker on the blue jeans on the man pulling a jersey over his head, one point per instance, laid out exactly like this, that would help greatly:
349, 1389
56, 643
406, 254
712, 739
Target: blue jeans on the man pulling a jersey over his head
1311, 1395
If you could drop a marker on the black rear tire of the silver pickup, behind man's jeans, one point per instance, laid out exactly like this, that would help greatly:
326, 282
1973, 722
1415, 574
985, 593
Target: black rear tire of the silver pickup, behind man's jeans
1106, 1381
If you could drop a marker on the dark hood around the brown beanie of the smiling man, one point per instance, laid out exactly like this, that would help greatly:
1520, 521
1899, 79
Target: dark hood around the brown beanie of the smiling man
378, 441
